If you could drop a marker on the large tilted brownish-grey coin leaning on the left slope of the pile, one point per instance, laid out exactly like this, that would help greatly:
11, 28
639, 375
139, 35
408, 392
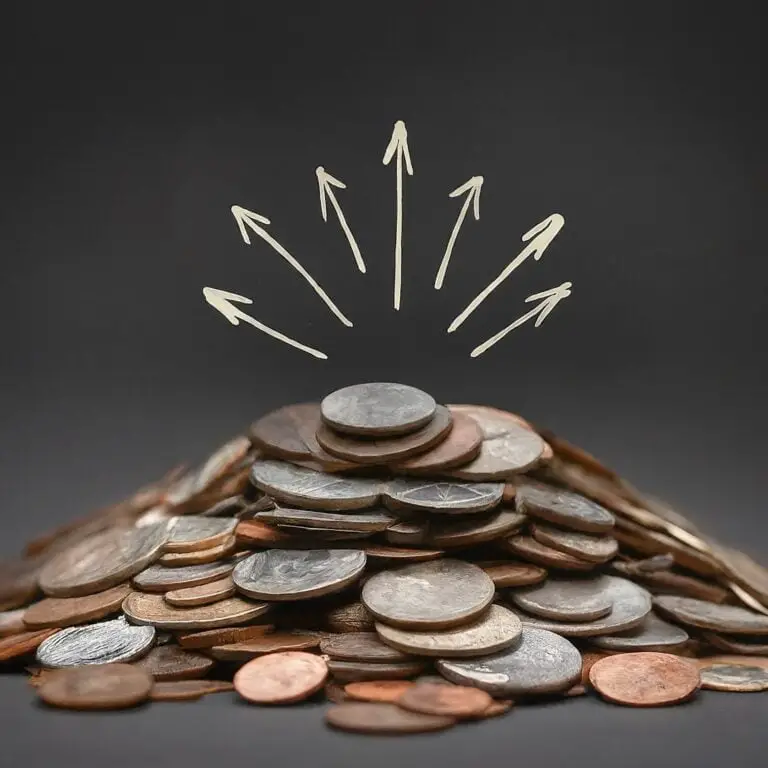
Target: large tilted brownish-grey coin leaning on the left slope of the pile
102, 561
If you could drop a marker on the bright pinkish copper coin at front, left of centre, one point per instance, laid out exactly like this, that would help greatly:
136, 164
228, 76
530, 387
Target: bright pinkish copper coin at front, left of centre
281, 678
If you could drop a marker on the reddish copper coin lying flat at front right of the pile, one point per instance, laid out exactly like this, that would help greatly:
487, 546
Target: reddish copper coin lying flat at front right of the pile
645, 679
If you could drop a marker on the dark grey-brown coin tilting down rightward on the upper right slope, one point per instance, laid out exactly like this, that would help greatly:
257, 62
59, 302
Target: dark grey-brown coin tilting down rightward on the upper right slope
563, 508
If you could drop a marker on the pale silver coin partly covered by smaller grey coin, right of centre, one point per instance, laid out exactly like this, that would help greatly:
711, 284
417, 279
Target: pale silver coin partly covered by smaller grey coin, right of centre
631, 604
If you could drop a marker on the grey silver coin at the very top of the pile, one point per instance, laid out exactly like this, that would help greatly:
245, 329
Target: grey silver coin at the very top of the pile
377, 409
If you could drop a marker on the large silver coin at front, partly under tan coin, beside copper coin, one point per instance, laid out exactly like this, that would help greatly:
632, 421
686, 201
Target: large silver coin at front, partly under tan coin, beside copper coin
542, 663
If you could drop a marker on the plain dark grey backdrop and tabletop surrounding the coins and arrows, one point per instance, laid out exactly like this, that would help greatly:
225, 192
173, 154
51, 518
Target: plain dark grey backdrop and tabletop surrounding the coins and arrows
128, 131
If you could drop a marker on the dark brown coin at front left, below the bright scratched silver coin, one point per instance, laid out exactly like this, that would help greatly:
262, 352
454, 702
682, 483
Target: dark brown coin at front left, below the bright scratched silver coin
109, 686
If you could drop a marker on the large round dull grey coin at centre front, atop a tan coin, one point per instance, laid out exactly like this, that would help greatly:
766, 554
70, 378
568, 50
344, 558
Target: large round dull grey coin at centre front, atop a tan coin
433, 595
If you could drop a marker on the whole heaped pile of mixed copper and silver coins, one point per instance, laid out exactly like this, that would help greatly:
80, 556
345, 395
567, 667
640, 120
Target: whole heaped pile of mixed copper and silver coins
416, 564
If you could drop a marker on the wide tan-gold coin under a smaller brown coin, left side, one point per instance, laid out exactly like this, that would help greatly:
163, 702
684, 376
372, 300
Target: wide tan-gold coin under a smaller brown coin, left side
153, 610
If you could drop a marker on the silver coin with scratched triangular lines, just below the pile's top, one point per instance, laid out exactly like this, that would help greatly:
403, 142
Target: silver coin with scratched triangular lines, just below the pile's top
450, 497
